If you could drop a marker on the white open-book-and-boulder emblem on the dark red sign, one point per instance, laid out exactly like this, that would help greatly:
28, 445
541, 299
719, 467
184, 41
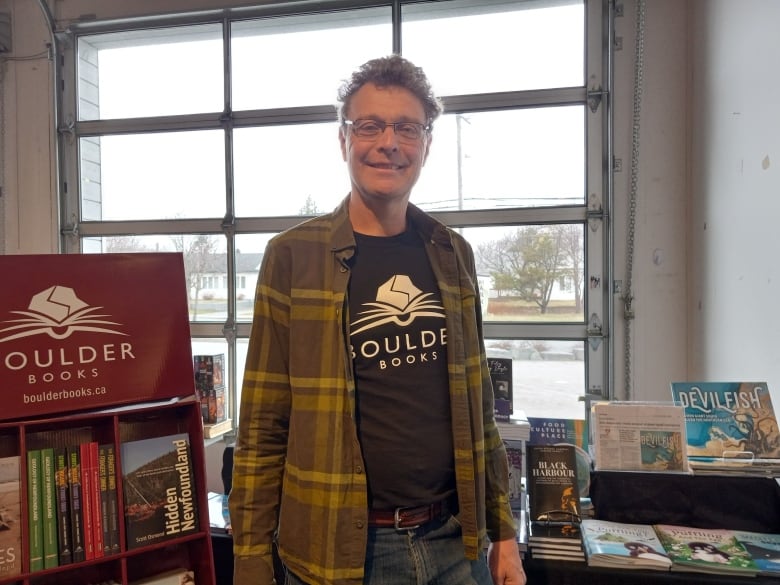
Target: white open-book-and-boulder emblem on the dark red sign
58, 313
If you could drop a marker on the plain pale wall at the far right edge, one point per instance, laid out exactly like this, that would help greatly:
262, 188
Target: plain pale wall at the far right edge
734, 271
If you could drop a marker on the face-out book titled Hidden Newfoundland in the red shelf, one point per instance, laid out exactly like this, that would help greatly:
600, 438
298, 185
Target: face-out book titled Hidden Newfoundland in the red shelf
160, 498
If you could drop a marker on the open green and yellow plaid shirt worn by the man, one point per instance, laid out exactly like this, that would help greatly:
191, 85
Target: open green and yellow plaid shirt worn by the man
298, 473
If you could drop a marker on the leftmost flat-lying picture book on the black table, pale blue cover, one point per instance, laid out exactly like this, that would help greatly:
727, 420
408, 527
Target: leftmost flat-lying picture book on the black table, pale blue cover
617, 544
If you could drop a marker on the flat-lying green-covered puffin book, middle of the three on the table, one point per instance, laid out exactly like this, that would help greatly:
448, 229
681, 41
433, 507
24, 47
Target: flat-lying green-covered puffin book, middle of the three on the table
706, 550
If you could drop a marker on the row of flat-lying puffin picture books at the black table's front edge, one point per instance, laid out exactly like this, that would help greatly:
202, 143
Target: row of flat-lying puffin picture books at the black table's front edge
680, 548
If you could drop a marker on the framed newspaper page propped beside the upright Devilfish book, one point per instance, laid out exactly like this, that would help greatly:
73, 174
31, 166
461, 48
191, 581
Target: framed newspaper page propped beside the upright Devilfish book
639, 436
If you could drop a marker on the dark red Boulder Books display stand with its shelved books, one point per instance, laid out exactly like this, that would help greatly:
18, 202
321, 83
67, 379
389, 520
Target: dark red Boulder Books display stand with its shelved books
102, 476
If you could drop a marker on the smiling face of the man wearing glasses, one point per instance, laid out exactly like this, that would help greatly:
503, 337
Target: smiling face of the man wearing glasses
384, 168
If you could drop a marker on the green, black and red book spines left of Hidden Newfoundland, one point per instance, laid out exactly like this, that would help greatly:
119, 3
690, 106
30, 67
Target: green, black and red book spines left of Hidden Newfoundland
72, 504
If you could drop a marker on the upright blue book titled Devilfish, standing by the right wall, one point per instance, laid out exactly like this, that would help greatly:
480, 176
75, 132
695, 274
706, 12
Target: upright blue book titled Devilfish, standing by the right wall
729, 420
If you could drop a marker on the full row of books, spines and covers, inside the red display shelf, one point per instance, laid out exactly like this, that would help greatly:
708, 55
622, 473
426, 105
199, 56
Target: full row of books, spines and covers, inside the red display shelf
72, 501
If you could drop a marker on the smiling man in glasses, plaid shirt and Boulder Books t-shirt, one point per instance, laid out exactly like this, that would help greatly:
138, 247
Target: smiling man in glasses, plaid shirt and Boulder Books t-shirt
367, 446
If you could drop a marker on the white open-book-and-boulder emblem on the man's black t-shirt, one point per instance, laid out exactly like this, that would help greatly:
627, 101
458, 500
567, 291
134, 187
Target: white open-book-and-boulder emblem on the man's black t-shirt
398, 301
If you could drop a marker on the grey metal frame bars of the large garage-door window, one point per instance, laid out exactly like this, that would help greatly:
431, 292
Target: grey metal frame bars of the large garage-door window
594, 214
